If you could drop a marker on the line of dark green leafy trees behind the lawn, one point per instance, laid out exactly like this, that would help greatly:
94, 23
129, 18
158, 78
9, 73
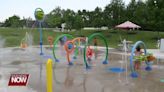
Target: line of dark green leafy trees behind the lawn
148, 14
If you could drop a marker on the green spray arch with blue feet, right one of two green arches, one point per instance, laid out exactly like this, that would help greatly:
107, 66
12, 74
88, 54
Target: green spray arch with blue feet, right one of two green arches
85, 49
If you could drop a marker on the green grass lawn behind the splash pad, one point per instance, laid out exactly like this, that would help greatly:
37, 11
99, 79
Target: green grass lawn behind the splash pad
13, 36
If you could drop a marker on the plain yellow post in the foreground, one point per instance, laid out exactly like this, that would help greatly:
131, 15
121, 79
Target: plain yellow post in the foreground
49, 75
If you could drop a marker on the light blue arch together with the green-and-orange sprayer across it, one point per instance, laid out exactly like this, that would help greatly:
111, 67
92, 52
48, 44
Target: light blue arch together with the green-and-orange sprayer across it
146, 57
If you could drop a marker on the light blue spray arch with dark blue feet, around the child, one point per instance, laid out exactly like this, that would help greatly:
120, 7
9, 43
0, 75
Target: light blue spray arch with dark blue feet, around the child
134, 74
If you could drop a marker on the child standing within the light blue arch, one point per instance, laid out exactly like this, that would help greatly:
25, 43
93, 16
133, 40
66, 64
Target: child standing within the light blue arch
138, 52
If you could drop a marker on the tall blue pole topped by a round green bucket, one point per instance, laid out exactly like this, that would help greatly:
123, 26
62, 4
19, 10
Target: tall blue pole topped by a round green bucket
39, 16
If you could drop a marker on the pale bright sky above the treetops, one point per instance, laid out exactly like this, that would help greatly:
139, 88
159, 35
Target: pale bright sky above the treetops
26, 8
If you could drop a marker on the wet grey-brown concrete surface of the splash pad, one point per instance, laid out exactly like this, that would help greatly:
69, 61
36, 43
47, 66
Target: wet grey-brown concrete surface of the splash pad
74, 78
